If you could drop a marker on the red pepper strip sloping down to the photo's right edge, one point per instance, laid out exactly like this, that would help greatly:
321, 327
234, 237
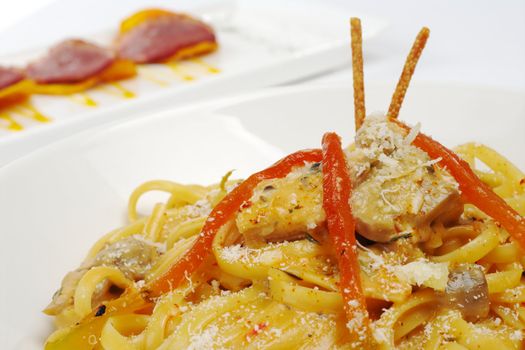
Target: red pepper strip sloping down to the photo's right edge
473, 190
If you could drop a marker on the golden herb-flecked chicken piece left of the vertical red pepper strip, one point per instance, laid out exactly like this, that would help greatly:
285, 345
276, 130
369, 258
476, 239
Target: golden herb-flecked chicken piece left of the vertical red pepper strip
284, 208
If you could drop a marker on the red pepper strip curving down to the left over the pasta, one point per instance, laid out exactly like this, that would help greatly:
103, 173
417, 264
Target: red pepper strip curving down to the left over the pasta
220, 215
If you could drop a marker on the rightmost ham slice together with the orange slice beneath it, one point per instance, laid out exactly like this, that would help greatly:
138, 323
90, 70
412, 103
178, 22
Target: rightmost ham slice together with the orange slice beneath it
158, 35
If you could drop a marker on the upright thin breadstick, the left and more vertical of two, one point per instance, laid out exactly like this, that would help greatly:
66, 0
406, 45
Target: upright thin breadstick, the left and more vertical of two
357, 70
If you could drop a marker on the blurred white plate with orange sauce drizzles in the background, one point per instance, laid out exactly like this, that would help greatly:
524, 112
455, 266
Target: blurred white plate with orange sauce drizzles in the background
261, 44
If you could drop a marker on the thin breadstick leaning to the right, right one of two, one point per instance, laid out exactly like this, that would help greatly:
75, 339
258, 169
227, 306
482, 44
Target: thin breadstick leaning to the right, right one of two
408, 70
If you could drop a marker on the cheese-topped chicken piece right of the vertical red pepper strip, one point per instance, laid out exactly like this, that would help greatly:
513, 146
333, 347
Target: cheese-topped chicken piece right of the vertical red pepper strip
397, 188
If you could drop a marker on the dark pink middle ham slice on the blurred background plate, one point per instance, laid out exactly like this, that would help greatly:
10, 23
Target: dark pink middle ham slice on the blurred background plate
71, 61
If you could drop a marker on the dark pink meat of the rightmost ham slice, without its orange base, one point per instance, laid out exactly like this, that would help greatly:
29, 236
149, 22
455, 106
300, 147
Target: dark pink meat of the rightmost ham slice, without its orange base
162, 37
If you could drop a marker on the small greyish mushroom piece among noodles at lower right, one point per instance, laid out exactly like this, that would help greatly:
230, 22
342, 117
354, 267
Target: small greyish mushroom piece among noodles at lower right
467, 290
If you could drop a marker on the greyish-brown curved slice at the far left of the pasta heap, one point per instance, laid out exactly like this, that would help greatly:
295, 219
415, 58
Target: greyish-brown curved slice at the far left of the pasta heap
134, 257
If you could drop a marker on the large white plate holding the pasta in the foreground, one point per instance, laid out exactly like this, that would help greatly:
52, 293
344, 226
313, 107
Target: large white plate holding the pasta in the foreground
56, 202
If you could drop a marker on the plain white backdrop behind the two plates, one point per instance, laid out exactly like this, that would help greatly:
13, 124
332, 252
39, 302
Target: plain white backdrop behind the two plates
480, 42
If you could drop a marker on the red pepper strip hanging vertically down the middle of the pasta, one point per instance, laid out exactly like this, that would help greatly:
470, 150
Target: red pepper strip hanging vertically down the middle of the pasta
337, 189
